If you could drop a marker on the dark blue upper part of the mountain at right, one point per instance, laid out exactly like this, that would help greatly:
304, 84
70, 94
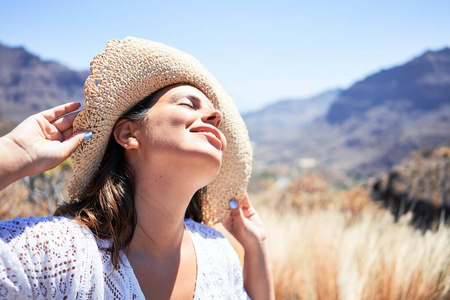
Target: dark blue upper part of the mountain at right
421, 84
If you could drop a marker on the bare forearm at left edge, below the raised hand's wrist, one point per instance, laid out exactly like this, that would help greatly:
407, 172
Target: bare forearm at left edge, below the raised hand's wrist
12, 163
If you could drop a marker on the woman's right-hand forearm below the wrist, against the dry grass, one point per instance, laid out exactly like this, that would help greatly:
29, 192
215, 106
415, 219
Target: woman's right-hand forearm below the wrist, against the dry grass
257, 274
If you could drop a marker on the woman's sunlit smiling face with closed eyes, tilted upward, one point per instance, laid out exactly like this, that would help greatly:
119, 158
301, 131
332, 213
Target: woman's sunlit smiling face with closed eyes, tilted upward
181, 128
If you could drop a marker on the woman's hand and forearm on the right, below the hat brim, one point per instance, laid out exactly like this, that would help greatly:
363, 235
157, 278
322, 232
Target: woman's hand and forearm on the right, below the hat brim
246, 226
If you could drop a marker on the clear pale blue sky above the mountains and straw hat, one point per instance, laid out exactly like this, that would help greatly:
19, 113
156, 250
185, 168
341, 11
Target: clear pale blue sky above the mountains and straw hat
261, 51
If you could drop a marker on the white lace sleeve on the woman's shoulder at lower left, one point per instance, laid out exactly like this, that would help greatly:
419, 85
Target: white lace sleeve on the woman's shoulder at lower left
48, 257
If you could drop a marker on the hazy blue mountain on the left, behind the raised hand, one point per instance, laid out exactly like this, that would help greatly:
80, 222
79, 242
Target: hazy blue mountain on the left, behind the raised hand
29, 84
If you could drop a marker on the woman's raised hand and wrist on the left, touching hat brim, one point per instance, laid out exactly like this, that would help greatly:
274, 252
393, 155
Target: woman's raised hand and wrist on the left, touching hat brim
39, 143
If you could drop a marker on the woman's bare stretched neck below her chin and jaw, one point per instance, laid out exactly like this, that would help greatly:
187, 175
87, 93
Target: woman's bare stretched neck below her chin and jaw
160, 205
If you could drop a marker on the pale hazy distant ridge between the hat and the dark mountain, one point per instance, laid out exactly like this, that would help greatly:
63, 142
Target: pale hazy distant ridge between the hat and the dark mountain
266, 124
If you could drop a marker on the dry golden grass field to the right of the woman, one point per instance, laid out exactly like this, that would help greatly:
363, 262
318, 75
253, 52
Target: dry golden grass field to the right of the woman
330, 244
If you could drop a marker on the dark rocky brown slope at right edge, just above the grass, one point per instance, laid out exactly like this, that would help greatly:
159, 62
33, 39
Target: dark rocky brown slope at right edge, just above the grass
420, 185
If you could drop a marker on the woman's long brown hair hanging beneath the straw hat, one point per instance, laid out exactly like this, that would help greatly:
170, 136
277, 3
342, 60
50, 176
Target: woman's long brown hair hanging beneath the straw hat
106, 205
